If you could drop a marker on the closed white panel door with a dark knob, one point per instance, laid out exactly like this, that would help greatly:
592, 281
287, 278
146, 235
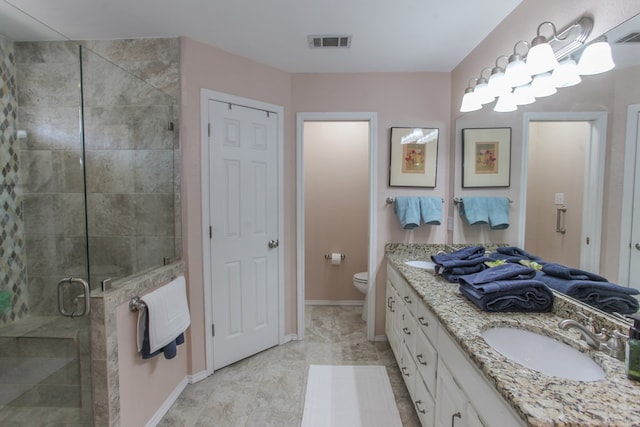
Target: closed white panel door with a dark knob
244, 237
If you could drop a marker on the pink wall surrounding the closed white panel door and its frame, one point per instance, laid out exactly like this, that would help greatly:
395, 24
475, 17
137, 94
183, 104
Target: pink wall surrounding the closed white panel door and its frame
206, 67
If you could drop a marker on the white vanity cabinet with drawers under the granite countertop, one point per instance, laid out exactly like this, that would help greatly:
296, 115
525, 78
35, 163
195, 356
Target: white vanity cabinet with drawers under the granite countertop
446, 388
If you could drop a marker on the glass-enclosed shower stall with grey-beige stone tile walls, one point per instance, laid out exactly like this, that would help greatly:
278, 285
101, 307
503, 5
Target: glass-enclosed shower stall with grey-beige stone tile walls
89, 194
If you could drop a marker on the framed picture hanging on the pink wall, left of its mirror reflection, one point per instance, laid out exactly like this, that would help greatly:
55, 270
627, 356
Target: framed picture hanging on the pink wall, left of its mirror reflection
413, 159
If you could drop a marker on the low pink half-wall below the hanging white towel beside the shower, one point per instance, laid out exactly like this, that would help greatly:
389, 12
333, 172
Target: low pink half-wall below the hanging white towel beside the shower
155, 378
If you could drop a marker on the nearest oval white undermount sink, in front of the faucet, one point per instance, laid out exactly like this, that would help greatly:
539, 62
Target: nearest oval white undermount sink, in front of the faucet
543, 354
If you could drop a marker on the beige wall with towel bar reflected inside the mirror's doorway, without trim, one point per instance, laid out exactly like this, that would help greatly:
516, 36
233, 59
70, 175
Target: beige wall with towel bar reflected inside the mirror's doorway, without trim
555, 189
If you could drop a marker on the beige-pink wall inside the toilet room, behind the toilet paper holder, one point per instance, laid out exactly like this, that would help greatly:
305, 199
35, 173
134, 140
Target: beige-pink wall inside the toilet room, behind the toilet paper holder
336, 184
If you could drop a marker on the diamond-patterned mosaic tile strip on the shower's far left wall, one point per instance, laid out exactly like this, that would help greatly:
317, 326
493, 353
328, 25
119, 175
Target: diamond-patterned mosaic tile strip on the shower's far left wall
12, 245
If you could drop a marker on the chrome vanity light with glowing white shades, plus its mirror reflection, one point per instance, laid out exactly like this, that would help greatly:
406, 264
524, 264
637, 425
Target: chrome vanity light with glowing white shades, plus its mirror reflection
547, 64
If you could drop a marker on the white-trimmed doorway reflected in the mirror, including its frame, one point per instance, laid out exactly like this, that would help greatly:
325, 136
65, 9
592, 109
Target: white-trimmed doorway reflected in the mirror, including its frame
562, 185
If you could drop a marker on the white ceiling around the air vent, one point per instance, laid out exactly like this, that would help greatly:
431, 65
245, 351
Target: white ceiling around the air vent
387, 35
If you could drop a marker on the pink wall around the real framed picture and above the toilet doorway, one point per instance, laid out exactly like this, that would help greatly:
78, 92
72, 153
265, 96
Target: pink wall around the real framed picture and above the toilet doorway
399, 99
